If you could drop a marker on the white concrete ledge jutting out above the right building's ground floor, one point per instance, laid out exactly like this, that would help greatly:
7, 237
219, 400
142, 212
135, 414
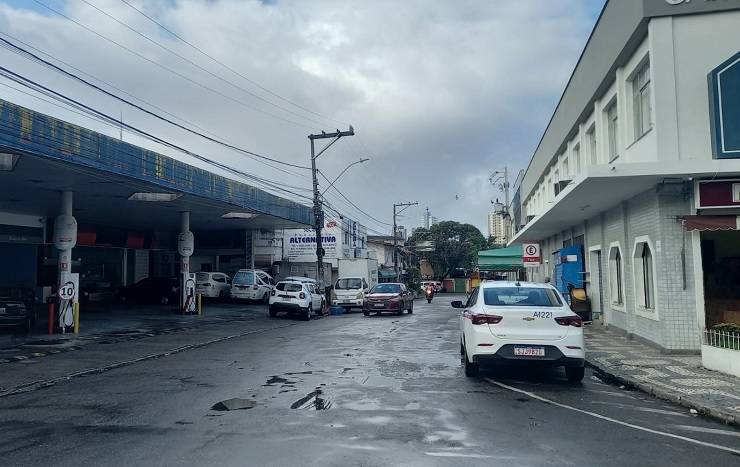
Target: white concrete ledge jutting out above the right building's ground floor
604, 186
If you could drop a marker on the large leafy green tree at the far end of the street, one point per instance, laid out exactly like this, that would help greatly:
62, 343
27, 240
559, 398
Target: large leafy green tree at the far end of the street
449, 245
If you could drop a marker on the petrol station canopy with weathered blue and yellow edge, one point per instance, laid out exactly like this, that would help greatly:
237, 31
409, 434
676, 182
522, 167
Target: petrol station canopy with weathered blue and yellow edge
104, 172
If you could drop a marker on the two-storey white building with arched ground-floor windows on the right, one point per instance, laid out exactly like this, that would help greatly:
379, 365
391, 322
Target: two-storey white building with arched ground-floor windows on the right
638, 164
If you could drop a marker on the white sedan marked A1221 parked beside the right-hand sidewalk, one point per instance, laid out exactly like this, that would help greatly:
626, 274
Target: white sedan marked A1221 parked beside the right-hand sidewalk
520, 322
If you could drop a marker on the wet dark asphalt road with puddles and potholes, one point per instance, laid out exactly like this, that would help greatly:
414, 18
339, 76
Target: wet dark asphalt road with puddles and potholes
336, 391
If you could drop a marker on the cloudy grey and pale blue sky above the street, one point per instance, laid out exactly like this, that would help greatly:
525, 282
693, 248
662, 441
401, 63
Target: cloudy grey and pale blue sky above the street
440, 93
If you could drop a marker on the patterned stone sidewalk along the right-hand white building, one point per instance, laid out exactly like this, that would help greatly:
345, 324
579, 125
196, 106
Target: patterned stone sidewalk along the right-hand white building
677, 378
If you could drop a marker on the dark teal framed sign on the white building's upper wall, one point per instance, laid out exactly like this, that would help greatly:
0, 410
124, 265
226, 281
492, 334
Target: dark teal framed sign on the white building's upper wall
724, 108
